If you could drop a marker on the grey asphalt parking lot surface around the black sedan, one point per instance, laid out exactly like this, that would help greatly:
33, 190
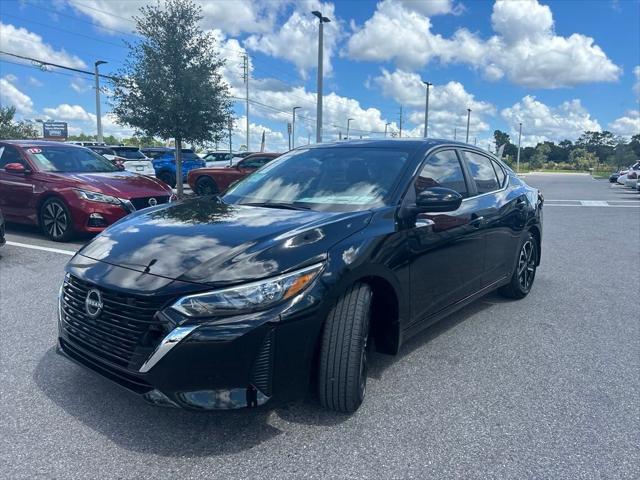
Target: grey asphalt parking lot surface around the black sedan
545, 387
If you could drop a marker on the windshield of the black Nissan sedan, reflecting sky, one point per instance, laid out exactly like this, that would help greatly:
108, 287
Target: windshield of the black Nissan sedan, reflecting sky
334, 178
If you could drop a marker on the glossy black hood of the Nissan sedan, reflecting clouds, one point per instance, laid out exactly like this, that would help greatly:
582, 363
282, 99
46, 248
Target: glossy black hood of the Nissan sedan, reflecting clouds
206, 241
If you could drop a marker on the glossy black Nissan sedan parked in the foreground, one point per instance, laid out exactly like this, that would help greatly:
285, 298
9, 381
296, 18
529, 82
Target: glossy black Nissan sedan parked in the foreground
289, 279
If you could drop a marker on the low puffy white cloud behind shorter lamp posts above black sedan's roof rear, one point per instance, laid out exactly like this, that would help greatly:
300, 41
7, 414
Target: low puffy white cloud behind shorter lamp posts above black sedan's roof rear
448, 104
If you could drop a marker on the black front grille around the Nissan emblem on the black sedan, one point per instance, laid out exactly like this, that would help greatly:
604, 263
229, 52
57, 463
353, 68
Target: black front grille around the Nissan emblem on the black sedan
124, 334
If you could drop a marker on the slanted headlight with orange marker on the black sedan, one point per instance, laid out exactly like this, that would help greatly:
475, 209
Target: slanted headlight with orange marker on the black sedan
261, 294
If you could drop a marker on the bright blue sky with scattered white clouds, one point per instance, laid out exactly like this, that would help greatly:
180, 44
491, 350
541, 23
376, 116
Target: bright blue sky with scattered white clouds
559, 67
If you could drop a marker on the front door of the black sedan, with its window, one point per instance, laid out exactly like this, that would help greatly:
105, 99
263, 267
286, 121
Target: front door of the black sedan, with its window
445, 249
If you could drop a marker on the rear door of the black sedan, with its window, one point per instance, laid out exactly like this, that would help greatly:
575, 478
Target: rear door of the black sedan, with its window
503, 213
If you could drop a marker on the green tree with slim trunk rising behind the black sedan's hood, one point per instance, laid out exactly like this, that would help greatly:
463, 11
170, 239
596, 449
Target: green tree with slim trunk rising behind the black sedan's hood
171, 85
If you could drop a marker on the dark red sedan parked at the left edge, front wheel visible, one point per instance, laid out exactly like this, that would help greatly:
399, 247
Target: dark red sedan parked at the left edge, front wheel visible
67, 189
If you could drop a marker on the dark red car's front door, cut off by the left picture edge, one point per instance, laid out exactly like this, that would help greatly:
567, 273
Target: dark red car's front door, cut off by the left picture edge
16, 189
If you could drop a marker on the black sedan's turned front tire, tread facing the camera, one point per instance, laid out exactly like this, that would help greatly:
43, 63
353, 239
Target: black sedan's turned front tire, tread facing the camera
342, 374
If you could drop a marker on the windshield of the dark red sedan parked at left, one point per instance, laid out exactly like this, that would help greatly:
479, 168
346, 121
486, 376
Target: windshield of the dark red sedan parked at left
69, 159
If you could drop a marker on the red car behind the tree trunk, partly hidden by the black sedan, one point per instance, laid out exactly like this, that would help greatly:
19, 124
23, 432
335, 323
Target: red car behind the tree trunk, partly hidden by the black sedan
212, 180
